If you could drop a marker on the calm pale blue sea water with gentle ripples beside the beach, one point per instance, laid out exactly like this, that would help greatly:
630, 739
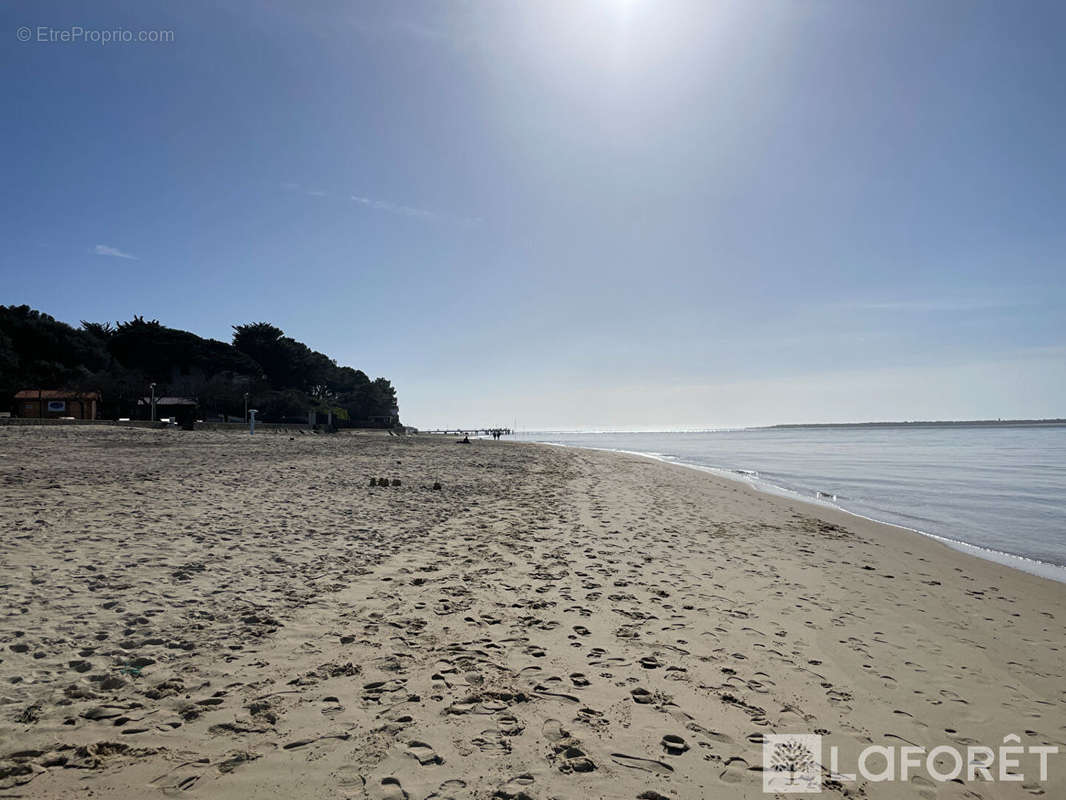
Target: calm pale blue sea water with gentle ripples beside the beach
999, 492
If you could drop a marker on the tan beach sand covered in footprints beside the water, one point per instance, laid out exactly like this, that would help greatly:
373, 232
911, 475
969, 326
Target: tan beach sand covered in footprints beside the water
213, 615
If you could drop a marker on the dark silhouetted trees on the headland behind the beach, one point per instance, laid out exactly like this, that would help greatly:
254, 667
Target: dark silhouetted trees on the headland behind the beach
283, 378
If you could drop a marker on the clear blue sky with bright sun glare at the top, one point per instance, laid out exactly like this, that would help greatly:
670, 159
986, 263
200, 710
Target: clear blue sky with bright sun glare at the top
563, 214
